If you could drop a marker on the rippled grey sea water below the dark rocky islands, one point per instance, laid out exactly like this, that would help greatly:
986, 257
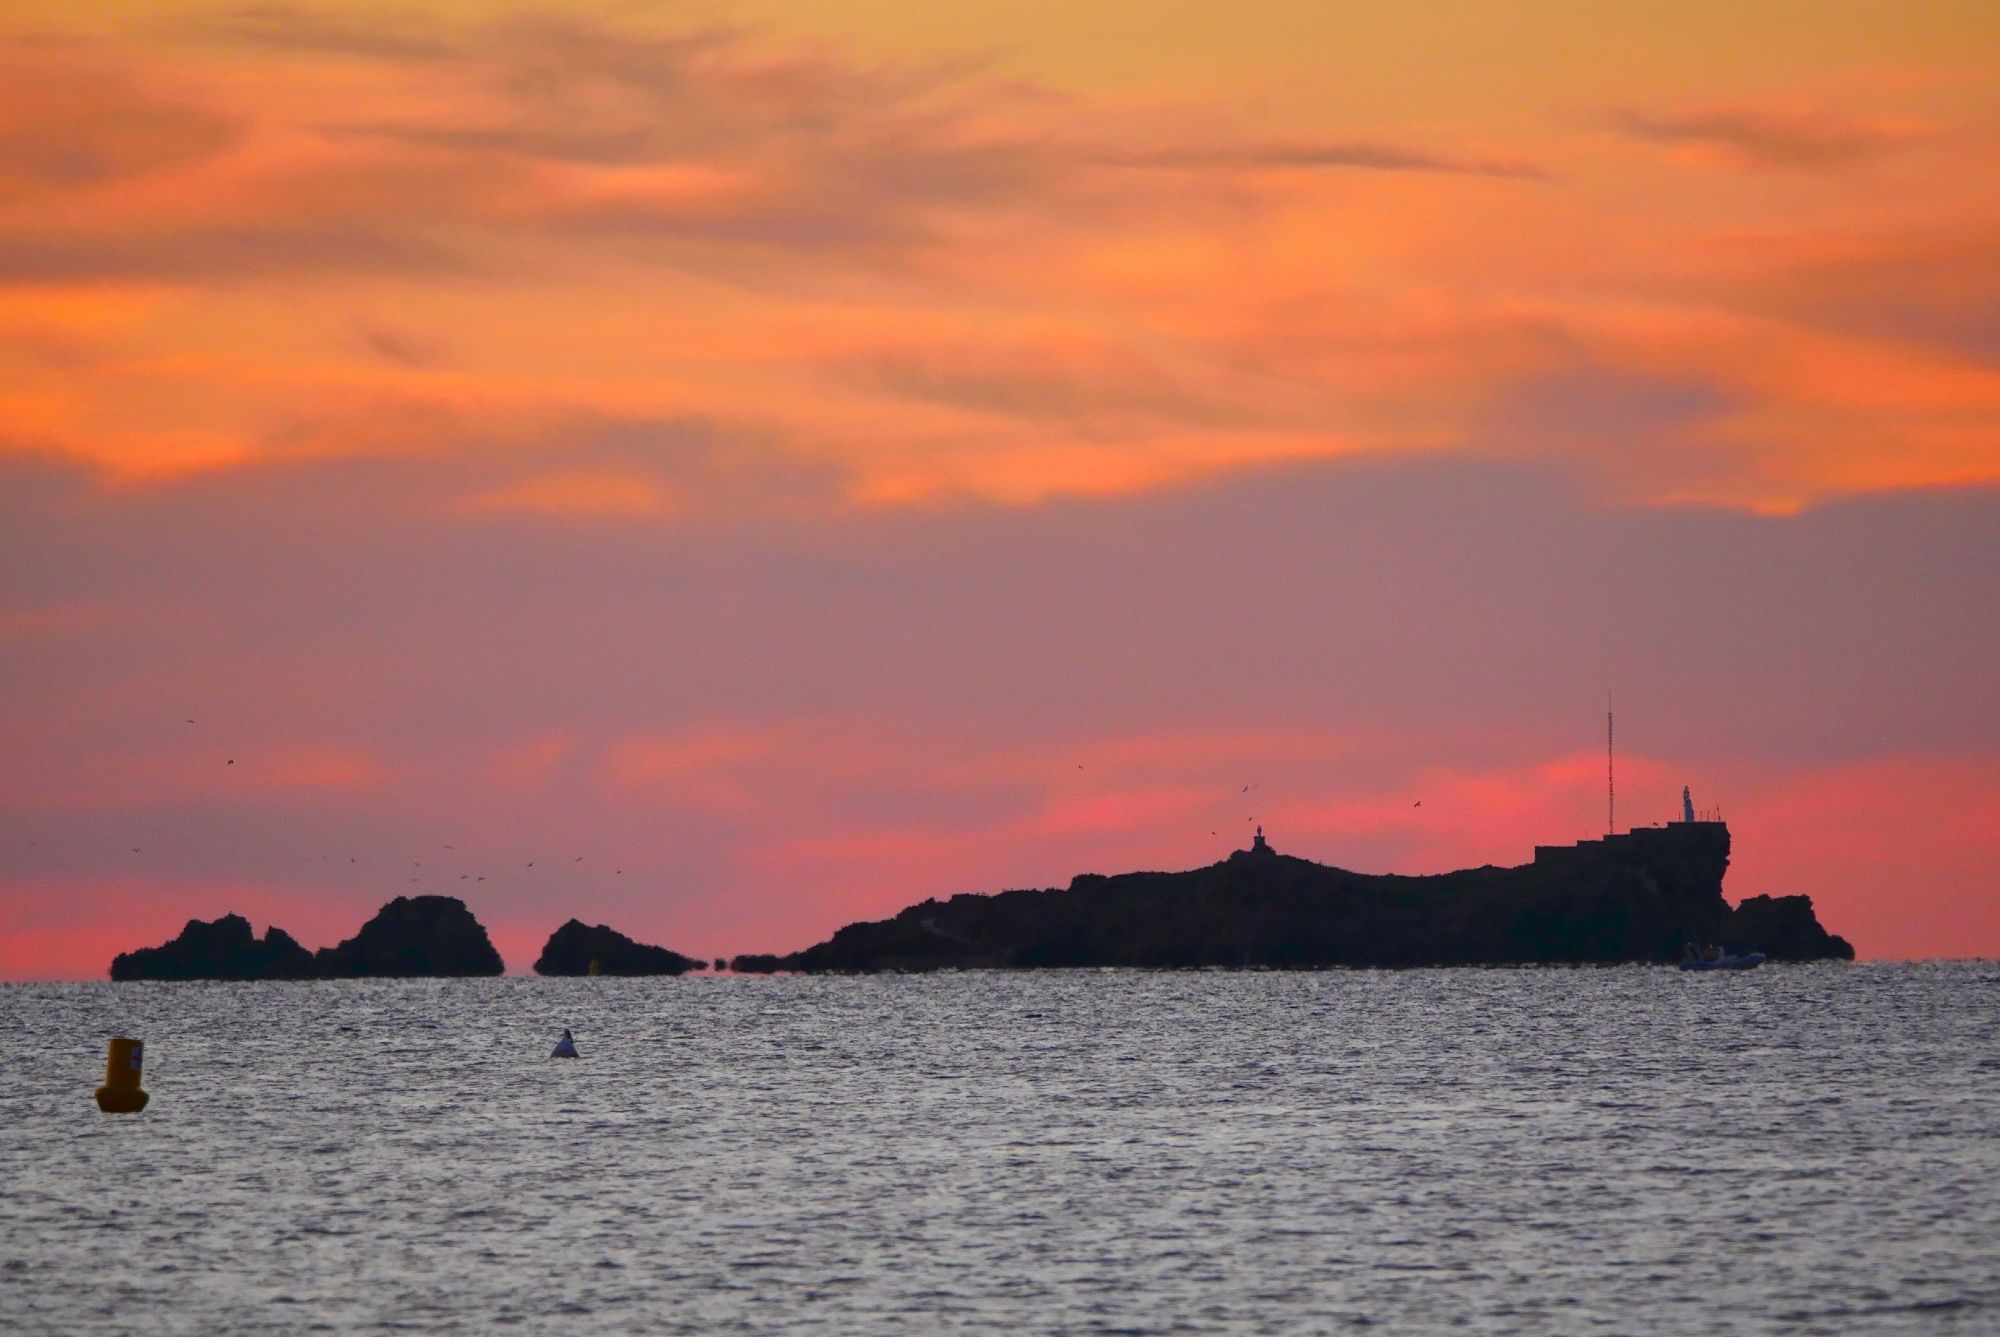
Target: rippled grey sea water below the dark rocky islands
1491, 1152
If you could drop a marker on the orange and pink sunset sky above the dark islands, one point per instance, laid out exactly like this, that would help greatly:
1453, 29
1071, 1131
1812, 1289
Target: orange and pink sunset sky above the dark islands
735, 469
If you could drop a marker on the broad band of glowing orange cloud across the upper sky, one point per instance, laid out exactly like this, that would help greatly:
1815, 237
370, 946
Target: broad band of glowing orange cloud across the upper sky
927, 279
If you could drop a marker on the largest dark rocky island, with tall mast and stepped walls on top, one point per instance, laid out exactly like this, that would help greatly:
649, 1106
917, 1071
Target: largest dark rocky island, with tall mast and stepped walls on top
1627, 898
